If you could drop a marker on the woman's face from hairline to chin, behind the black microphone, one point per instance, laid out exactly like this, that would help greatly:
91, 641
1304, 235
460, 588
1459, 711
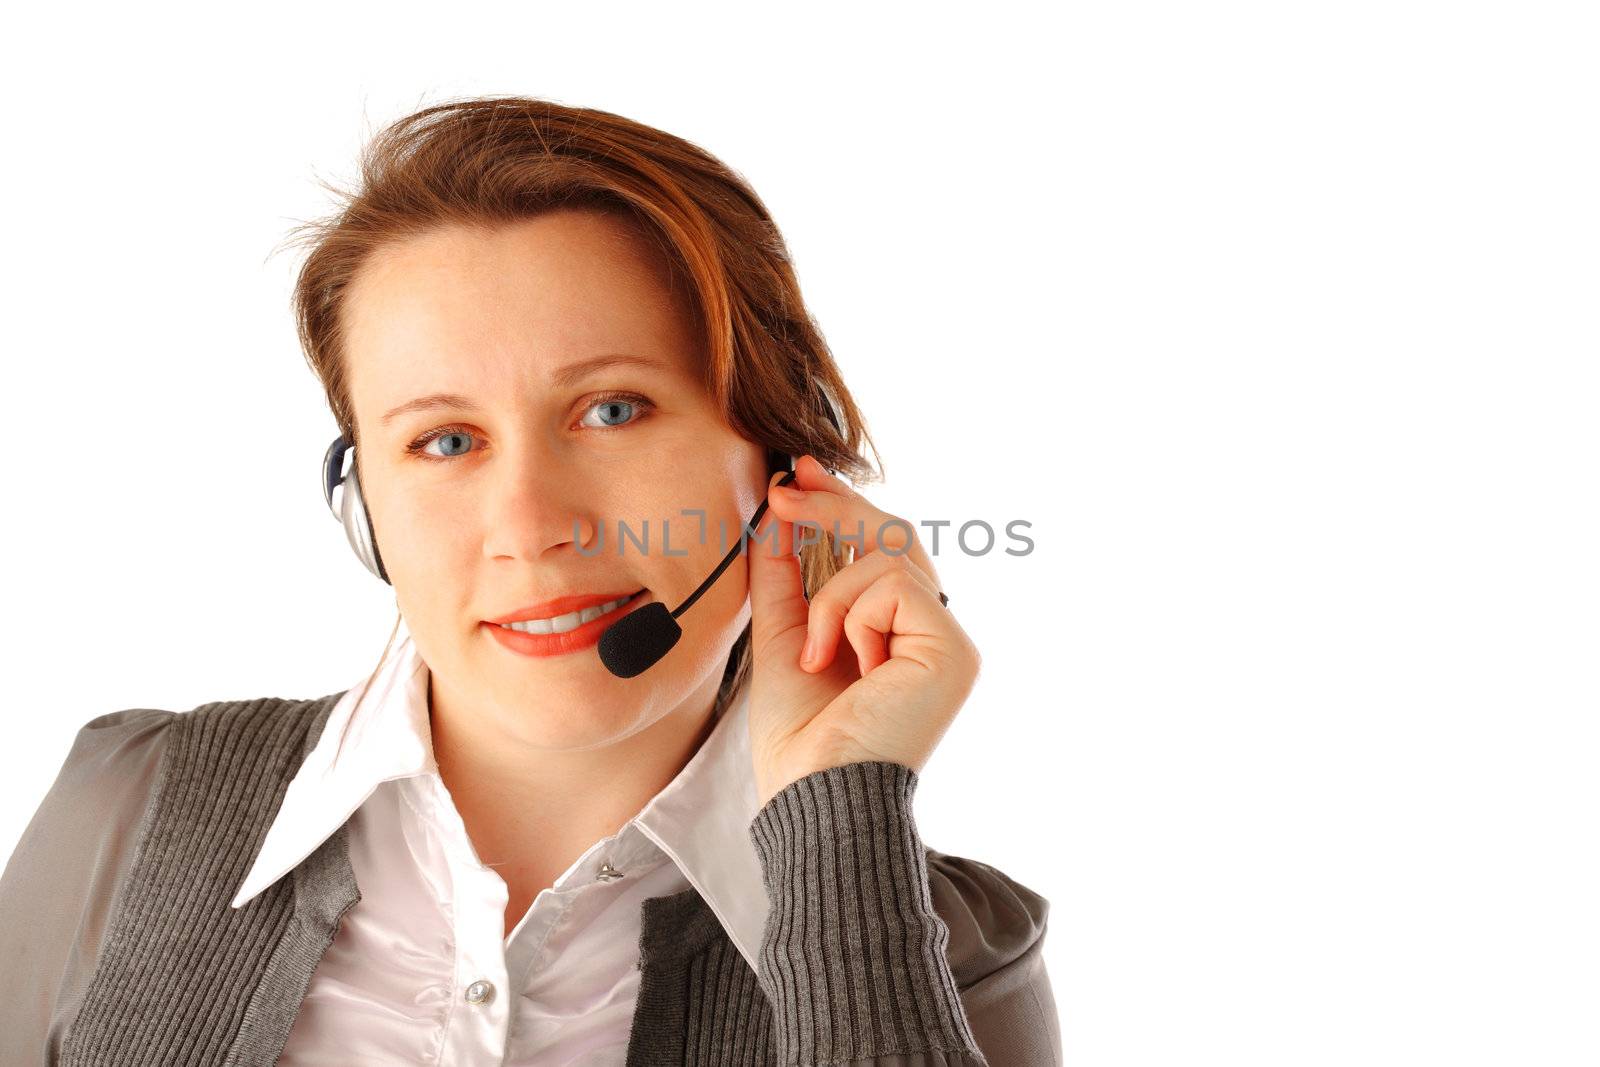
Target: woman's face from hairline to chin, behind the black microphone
497, 502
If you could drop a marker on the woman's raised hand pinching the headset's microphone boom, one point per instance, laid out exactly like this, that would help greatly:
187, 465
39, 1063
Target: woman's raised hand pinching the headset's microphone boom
890, 665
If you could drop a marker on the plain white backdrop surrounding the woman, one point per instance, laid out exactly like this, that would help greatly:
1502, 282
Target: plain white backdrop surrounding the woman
1278, 322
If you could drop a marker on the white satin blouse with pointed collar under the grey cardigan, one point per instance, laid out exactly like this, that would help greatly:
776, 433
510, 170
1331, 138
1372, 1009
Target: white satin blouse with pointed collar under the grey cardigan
422, 972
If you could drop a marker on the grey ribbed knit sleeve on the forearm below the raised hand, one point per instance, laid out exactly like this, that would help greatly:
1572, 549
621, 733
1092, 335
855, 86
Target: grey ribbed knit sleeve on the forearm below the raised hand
854, 954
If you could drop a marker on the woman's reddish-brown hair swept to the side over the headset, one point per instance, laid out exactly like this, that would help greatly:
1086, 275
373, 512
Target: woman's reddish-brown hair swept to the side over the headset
495, 161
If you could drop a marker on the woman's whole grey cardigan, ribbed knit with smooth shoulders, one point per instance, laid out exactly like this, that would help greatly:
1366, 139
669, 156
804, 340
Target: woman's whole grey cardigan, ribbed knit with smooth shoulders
122, 949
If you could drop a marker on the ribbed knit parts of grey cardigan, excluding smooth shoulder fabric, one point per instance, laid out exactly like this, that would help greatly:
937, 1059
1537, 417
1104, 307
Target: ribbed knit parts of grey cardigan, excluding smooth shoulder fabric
852, 964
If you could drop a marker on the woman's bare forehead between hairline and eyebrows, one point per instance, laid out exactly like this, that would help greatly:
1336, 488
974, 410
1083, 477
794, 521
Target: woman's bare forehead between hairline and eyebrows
522, 298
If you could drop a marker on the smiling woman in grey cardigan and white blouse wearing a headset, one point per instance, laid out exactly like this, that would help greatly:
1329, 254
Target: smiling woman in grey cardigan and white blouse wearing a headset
546, 332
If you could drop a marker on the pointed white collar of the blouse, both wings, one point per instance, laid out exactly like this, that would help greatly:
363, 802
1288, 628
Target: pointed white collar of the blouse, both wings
702, 820
